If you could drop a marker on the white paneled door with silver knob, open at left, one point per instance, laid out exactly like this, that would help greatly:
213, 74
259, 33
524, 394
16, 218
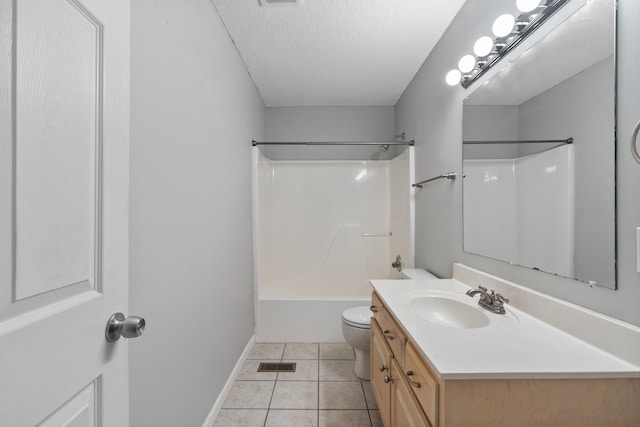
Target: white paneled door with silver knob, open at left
64, 106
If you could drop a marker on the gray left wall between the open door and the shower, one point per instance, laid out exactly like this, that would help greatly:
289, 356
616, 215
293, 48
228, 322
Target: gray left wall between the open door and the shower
194, 111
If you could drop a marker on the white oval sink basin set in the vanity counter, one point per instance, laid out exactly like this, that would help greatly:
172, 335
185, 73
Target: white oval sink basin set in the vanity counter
451, 310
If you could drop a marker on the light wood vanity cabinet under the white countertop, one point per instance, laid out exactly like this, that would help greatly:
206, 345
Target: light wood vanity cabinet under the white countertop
497, 402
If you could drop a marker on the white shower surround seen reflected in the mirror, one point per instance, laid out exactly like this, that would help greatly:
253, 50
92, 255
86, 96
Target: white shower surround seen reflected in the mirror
523, 230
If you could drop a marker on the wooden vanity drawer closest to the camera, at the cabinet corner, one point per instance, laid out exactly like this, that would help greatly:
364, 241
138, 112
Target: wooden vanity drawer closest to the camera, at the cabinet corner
422, 382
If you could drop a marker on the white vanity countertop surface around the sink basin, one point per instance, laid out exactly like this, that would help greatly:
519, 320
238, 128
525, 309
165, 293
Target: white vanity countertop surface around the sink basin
515, 345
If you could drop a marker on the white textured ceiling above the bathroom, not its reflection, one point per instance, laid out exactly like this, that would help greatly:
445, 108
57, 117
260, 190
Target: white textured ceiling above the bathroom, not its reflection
335, 52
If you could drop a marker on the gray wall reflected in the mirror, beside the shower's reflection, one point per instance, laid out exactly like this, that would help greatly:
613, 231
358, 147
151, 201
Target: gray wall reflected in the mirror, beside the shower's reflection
582, 107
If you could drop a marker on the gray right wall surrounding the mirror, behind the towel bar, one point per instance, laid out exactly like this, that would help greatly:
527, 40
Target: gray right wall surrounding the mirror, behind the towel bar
431, 112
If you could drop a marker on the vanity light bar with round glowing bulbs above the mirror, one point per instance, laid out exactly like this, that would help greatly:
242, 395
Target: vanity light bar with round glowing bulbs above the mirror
509, 32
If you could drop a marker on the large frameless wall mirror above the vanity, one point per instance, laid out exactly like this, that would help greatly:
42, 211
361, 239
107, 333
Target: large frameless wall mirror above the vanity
546, 205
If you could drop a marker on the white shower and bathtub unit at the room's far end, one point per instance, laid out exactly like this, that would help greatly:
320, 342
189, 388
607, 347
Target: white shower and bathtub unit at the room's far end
322, 229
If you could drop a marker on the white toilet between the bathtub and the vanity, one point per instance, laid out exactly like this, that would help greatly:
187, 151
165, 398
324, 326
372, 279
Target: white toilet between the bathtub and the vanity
356, 326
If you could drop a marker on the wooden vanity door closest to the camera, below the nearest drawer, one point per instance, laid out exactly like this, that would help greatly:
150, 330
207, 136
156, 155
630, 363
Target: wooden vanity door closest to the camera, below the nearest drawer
405, 411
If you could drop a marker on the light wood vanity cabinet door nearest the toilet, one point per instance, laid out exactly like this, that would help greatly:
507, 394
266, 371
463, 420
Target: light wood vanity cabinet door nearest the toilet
380, 373
